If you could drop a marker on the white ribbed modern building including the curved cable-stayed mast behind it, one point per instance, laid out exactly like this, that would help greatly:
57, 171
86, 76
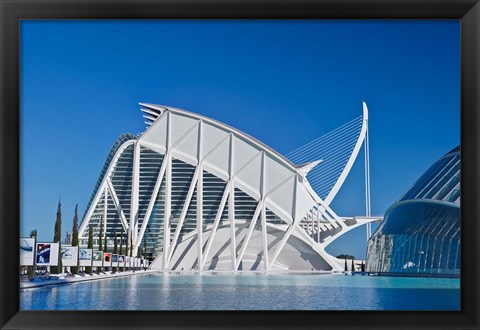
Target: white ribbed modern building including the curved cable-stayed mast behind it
202, 195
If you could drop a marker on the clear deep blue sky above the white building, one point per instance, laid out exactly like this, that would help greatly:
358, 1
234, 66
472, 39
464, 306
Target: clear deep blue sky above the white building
283, 82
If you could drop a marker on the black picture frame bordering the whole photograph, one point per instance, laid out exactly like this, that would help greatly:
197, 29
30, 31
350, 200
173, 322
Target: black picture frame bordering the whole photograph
12, 11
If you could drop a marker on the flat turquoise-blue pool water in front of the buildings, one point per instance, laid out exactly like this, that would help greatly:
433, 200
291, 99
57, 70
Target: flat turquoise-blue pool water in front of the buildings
248, 292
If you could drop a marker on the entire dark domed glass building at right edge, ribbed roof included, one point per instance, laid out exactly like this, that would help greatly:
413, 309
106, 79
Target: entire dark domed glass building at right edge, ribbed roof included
421, 232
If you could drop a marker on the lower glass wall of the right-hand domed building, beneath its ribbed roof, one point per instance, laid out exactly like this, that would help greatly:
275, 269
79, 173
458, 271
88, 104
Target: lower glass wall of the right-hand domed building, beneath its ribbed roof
417, 236
